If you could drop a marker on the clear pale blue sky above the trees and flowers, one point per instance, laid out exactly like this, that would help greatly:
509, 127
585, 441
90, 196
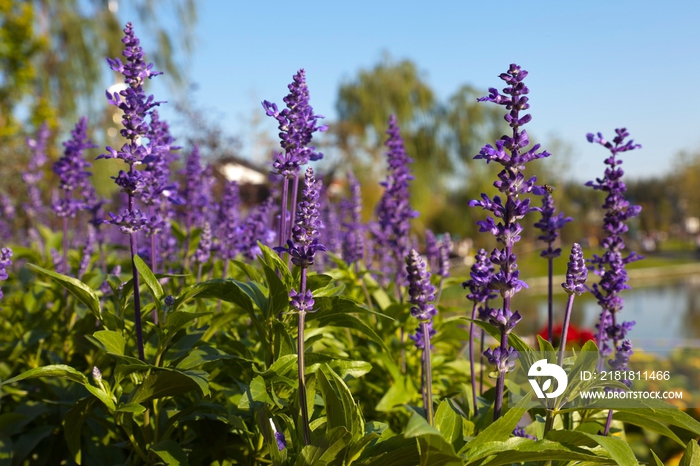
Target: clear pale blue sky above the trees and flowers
594, 66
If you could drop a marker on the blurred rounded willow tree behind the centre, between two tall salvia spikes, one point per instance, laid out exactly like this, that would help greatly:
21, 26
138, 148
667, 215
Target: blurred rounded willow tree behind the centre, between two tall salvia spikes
441, 137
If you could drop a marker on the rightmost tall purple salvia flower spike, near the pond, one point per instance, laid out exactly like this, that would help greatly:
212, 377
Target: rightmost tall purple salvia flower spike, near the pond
611, 265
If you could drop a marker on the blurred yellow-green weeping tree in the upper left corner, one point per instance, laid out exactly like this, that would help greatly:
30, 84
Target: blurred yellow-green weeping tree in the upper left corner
52, 65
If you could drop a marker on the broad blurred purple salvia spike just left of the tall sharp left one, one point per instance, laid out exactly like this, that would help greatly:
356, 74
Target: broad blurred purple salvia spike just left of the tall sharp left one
73, 174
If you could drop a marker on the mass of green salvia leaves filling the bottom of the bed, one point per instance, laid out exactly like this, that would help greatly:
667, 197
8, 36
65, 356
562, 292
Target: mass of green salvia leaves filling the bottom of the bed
220, 377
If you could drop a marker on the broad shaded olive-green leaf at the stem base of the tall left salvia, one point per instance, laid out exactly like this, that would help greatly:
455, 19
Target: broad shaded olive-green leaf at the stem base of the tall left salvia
162, 383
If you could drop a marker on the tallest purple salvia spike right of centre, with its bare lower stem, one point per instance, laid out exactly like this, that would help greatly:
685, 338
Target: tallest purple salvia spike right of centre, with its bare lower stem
511, 152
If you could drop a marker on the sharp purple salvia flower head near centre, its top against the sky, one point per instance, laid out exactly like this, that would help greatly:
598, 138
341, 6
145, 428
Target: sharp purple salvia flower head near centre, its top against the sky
297, 124
